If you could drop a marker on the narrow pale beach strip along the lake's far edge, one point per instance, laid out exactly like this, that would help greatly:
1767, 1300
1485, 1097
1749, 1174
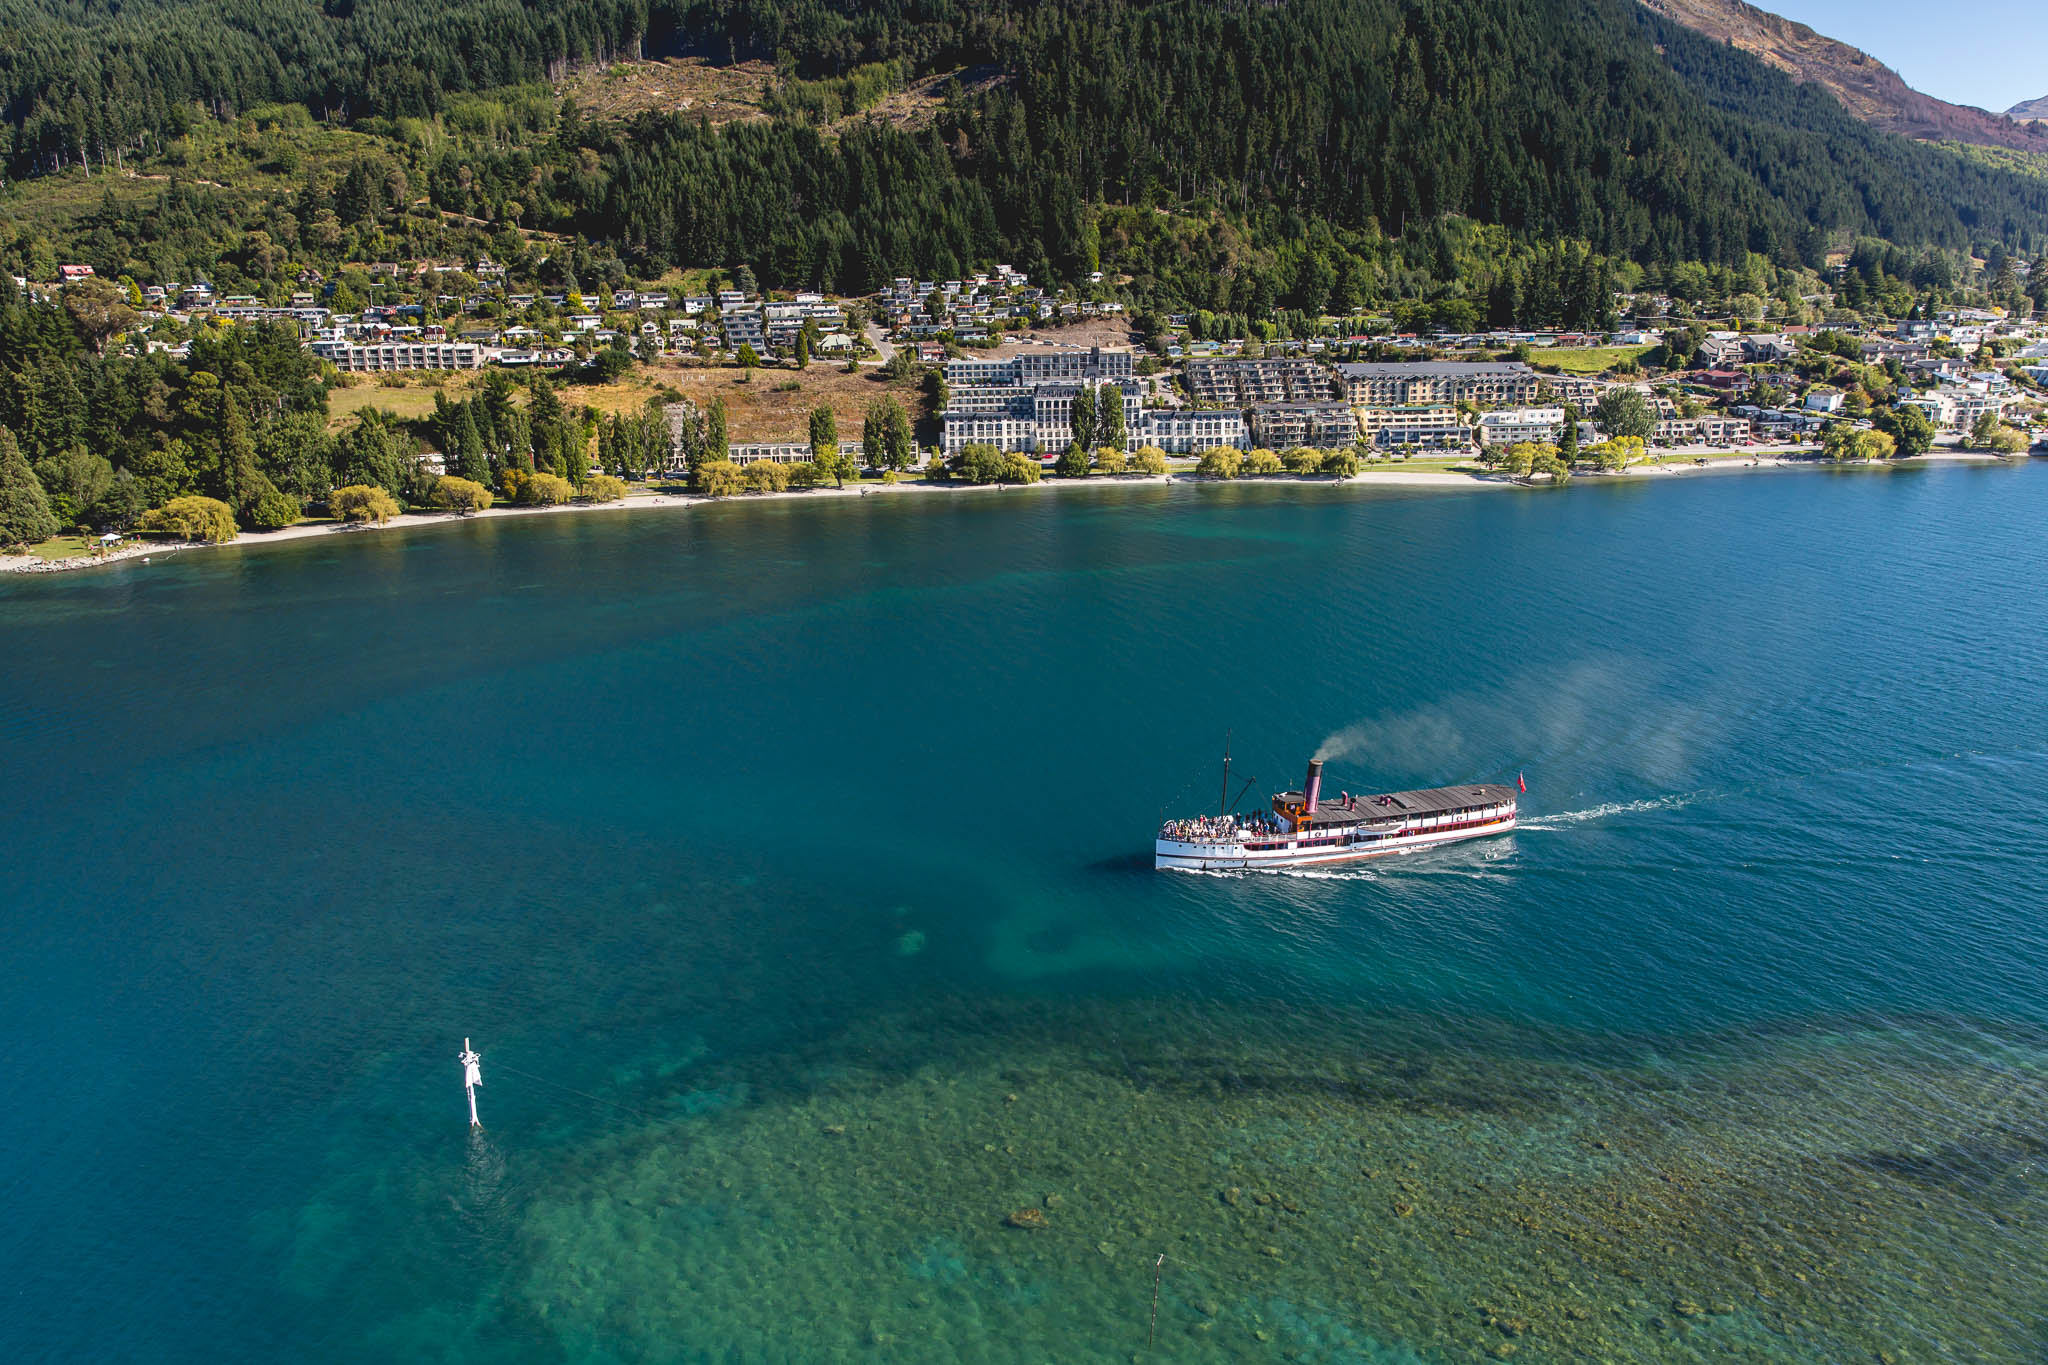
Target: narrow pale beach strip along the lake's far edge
1441, 480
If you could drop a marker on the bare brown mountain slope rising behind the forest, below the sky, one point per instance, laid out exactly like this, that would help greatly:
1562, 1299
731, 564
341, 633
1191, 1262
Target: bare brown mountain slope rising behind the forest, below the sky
1867, 87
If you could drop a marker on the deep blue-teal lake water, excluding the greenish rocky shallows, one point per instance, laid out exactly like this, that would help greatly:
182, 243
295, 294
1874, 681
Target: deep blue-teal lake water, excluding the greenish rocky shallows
669, 807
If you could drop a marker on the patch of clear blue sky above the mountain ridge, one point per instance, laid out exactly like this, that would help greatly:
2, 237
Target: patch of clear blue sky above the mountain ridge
1988, 52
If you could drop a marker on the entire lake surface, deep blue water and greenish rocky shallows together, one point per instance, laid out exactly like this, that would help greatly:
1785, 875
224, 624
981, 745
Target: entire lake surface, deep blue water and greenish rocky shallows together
787, 865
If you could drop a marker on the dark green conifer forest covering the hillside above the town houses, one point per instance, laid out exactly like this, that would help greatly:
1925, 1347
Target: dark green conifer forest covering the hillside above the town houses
1347, 122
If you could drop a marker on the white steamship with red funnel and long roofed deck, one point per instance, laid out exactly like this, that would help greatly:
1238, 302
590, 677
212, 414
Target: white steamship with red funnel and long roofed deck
1306, 830
